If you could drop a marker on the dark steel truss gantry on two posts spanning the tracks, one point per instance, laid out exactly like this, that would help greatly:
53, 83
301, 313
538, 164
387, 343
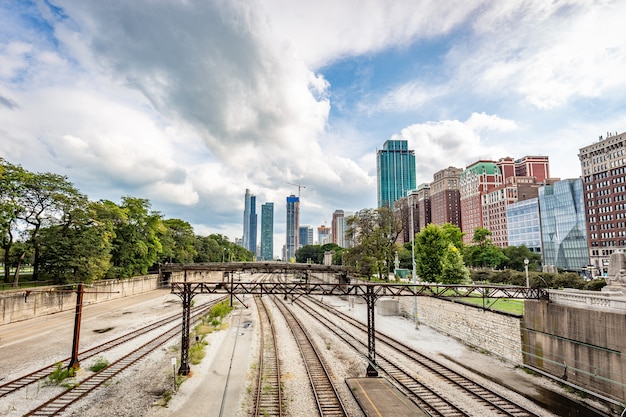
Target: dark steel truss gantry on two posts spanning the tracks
368, 291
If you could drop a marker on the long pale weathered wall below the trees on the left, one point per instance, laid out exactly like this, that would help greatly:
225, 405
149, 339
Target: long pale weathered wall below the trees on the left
16, 305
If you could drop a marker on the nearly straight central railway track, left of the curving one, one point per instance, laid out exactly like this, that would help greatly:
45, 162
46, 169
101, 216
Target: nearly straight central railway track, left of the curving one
269, 391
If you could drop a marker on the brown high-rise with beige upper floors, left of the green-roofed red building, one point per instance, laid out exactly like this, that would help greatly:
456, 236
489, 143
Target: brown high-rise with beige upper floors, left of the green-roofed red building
445, 196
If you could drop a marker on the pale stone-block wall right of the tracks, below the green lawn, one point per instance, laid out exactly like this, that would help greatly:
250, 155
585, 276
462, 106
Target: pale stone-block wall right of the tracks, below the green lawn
496, 333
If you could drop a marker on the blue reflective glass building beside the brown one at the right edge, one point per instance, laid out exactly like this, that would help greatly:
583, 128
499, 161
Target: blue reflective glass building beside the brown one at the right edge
563, 225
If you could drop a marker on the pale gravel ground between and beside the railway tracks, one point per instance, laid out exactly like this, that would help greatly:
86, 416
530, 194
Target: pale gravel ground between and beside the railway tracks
139, 392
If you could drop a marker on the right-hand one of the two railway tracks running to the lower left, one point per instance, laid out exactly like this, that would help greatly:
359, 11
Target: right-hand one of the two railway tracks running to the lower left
68, 397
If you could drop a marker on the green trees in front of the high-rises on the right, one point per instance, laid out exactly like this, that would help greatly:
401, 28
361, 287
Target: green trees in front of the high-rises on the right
440, 254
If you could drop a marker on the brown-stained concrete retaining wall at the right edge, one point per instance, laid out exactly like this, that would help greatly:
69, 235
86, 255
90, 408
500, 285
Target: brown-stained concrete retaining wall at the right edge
584, 345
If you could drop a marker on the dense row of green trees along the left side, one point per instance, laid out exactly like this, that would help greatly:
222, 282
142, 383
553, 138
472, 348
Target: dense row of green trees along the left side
47, 223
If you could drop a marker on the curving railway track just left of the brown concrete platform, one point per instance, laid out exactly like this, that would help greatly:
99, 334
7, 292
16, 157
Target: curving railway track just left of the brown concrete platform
326, 397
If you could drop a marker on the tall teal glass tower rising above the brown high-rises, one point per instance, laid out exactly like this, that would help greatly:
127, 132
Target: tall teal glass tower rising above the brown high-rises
395, 169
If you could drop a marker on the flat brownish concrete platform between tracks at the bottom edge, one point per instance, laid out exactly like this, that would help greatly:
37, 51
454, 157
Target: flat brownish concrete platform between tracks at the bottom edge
378, 398
